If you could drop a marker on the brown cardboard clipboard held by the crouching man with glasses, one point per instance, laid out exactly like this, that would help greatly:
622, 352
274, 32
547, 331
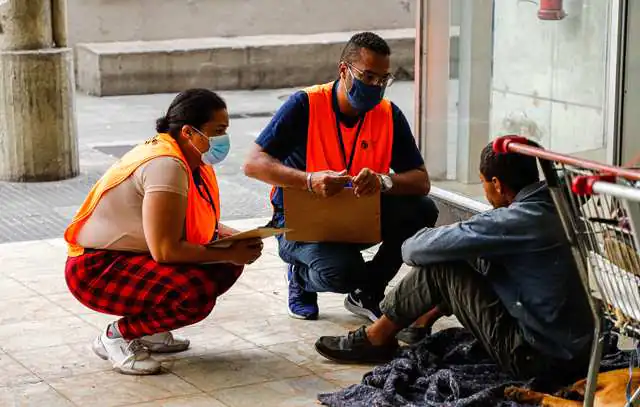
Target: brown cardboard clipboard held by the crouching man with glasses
342, 218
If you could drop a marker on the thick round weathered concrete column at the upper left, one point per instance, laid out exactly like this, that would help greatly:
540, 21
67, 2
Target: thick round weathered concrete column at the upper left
38, 140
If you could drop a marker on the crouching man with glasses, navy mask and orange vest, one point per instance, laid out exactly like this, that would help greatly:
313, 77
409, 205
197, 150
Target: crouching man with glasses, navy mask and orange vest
325, 137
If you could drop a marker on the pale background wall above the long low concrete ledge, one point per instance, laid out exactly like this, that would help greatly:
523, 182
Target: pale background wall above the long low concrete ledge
126, 20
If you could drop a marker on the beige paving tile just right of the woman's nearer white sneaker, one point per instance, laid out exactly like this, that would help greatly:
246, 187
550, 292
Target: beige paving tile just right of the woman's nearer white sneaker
233, 369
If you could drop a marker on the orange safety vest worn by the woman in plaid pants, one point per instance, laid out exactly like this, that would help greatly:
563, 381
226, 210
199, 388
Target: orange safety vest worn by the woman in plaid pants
201, 218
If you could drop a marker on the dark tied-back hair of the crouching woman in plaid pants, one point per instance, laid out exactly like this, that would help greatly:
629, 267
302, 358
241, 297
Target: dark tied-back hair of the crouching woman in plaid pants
193, 107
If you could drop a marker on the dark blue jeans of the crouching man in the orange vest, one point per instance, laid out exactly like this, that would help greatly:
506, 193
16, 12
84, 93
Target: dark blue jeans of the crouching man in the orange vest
340, 267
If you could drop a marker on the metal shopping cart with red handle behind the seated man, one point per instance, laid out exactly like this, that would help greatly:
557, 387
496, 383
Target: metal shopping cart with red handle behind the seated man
599, 206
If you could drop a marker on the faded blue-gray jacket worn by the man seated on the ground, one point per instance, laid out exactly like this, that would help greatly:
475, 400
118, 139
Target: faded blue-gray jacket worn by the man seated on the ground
523, 252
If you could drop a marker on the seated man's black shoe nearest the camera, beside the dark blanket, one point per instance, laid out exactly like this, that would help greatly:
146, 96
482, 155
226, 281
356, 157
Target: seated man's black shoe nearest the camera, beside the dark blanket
354, 348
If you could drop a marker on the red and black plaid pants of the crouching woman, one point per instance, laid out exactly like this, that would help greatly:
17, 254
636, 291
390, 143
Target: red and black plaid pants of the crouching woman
150, 297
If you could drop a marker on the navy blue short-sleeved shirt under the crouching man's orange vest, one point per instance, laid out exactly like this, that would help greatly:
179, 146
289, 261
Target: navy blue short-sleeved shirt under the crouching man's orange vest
285, 138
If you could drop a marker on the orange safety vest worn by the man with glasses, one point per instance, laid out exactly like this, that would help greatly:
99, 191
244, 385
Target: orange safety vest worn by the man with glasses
331, 149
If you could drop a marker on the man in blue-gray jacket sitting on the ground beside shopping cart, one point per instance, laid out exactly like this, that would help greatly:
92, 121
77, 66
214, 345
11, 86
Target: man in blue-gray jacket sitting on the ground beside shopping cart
507, 275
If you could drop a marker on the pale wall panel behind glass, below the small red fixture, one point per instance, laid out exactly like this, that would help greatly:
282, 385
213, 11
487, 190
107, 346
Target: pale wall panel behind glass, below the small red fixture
549, 77
